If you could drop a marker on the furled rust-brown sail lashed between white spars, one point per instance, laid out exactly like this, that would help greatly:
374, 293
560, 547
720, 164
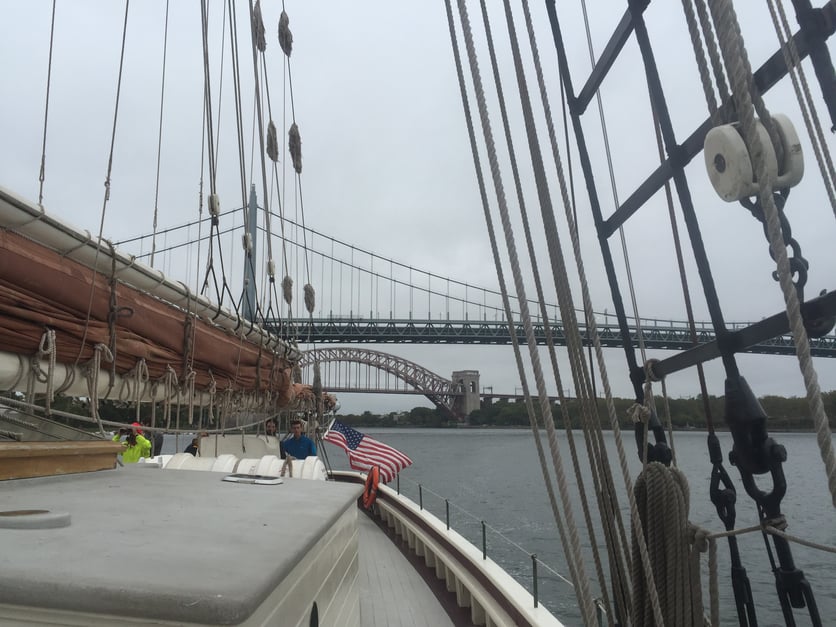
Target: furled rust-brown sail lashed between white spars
155, 335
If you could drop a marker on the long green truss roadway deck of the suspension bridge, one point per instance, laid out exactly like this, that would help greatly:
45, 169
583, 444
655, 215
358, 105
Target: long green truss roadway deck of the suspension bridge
657, 334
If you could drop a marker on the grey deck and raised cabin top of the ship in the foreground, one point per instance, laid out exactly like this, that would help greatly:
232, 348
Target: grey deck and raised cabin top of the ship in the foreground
186, 547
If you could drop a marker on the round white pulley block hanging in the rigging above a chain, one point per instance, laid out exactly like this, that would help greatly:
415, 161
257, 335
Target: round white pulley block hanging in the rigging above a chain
729, 163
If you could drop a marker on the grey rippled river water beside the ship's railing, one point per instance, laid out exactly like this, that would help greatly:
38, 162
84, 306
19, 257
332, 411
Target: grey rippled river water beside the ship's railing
493, 475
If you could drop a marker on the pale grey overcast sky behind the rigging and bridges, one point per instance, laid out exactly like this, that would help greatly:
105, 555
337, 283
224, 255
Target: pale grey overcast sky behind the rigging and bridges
387, 164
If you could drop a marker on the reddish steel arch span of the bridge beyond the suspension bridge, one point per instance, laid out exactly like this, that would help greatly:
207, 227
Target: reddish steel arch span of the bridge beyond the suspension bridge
442, 392
